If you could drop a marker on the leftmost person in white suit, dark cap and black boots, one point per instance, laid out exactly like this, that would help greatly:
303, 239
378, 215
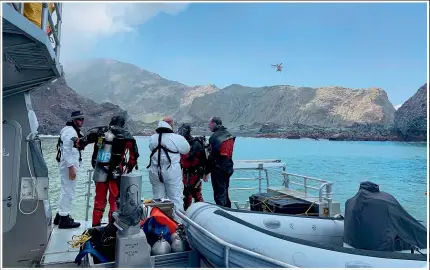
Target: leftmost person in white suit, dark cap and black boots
69, 157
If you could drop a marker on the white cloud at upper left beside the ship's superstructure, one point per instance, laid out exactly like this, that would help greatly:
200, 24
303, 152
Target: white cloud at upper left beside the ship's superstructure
83, 24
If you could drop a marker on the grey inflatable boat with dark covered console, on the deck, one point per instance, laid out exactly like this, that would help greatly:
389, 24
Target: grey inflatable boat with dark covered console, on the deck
201, 220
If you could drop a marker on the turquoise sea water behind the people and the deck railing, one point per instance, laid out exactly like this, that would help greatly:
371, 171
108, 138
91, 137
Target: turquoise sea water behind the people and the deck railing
399, 168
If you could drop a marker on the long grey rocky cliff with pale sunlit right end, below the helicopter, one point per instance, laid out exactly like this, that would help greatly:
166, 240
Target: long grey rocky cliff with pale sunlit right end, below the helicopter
285, 105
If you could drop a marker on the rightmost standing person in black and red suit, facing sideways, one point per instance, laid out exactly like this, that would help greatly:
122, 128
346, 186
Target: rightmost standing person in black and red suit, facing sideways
220, 162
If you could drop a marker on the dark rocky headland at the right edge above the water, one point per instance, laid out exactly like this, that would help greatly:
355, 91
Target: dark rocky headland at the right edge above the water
411, 118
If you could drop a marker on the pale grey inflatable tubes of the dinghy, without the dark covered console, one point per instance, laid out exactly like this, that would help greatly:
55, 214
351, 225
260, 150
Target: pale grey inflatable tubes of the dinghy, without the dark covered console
286, 247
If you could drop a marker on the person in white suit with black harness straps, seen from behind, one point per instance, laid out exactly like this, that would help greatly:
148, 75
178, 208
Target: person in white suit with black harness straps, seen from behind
172, 188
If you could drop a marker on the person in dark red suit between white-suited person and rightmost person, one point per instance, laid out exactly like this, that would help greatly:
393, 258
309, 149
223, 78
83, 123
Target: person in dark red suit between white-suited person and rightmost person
193, 167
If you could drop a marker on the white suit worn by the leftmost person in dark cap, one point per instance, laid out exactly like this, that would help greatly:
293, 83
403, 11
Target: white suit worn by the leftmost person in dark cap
69, 157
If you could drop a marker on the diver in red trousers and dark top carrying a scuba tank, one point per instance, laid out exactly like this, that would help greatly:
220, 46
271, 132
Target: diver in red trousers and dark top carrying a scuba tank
125, 166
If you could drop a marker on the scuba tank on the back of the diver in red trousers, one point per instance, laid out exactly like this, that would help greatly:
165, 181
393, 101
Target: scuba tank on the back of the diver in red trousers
104, 155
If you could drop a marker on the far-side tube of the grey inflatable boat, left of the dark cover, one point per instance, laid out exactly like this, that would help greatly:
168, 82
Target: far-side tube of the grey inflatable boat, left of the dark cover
317, 229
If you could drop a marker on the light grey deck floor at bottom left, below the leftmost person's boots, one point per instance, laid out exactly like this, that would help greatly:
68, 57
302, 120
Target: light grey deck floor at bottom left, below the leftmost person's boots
58, 251
